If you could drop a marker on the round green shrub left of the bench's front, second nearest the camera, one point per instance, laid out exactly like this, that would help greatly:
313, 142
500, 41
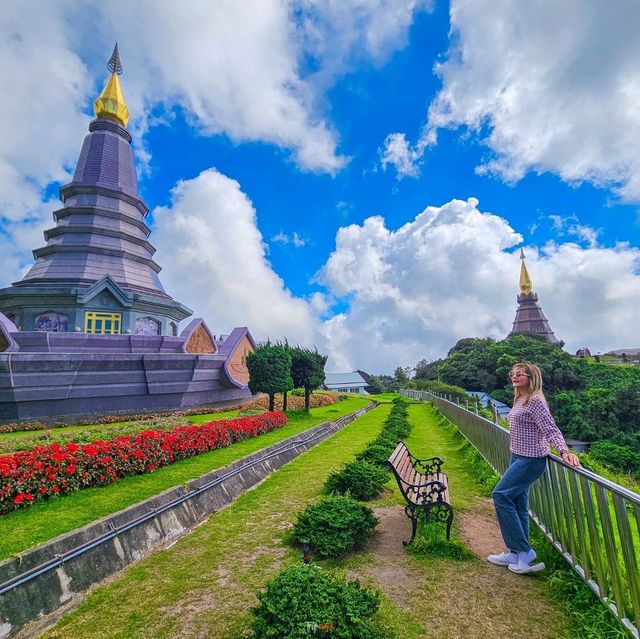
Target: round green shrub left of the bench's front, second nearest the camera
334, 526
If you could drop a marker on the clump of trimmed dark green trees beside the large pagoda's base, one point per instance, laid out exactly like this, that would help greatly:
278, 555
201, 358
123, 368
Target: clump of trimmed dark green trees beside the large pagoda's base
279, 368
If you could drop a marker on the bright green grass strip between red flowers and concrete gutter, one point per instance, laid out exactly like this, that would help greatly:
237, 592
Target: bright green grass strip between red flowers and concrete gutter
32, 526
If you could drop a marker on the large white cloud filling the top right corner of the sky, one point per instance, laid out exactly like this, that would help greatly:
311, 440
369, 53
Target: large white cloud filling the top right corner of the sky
546, 86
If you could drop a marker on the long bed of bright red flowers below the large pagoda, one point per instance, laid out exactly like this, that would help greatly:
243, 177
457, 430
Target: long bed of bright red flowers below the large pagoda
42, 472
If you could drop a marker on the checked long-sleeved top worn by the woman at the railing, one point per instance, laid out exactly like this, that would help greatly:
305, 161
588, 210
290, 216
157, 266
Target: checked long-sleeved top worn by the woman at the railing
533, 430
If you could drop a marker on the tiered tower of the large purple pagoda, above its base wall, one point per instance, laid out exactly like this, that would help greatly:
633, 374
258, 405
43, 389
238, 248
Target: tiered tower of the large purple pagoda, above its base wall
96, 273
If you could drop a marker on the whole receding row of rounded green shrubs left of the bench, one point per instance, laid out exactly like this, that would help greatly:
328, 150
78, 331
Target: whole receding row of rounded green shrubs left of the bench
303, 600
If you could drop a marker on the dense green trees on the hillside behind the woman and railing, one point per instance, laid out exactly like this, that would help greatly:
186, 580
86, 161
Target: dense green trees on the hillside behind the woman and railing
591, 401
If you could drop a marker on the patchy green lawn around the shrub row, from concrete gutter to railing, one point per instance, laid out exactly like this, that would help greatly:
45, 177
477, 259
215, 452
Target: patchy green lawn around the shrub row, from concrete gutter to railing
206, 585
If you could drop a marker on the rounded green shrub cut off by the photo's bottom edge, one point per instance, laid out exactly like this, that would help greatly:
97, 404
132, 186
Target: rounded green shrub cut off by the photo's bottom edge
303, 601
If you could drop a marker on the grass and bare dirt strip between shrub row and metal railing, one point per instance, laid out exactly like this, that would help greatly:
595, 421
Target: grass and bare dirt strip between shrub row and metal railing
456, 599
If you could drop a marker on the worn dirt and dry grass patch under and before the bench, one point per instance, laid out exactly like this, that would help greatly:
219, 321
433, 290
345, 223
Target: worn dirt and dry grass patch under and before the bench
469, 599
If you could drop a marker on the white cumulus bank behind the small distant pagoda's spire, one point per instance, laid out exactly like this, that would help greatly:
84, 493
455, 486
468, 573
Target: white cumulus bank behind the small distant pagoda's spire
452, 273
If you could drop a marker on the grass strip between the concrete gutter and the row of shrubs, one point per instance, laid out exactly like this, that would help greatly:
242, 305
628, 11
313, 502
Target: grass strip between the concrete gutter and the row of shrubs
206, 584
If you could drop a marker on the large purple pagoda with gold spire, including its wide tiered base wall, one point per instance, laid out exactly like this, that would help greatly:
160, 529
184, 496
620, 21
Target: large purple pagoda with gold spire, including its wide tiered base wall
90, 329
